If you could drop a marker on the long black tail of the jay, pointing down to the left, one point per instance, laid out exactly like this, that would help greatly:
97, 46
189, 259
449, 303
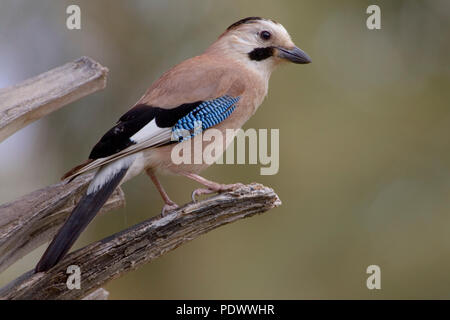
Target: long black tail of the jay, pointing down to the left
78, 220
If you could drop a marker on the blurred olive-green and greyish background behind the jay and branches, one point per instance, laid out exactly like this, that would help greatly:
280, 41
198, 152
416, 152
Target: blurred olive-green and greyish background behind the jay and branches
364, 153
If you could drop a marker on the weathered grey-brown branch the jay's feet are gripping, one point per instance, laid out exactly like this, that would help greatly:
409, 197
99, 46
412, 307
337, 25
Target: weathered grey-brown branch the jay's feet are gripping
111, 257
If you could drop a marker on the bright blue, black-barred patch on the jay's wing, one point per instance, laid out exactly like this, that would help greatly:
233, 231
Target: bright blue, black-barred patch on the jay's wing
207, 114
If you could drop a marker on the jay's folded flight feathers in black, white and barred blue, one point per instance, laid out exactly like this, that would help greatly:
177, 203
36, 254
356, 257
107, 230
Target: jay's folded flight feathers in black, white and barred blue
146, 126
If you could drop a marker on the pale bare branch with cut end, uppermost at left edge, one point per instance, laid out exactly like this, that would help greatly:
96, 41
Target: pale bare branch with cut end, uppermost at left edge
36, 97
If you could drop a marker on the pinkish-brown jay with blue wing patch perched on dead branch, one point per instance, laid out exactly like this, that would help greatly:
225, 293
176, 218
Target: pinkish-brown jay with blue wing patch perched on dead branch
222, 88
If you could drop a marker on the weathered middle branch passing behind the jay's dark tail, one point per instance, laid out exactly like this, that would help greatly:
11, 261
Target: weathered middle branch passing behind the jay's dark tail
34, 219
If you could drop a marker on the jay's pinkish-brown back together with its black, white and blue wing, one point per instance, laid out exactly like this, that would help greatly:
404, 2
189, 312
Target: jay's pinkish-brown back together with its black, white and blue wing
198, 90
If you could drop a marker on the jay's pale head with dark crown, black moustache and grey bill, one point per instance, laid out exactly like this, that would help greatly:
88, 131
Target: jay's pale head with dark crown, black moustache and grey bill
259, 42
